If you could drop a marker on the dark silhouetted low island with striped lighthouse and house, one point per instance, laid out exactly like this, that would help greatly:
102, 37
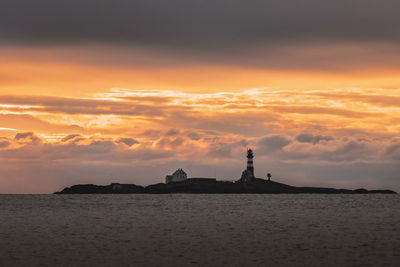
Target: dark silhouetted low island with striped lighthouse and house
179, 183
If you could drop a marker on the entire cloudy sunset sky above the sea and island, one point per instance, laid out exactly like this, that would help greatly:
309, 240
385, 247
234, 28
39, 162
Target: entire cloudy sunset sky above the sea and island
100, 91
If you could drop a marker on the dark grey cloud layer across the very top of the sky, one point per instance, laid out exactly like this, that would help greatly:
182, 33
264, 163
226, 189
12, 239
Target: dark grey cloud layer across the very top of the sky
198, 24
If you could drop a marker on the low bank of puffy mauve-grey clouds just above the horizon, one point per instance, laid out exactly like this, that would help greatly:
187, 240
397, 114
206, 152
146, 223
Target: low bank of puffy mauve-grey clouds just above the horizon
222, 154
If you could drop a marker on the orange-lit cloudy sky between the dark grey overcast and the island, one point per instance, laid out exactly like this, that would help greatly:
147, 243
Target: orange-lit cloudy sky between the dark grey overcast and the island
58, 113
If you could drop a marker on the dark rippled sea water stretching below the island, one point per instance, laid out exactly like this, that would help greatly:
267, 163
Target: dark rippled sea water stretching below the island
199, 230
